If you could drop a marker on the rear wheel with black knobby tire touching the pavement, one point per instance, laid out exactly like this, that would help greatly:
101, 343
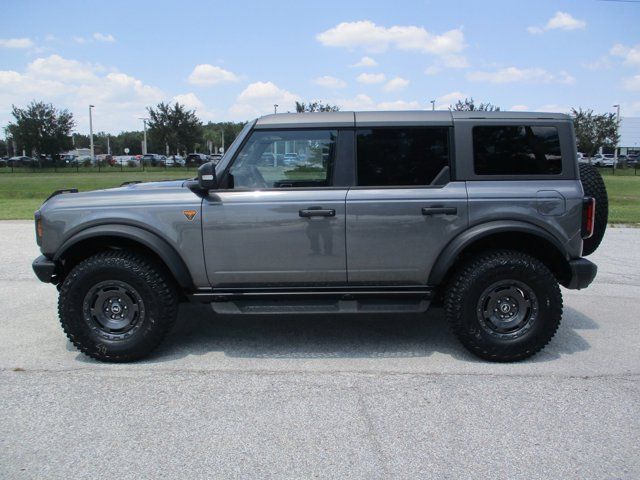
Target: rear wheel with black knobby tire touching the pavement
466, 306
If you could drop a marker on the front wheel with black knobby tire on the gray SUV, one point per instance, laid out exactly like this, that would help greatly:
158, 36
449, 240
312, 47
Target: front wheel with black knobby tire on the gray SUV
130, 280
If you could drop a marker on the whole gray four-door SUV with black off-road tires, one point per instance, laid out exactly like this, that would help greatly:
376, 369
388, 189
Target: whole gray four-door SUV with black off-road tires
485, 214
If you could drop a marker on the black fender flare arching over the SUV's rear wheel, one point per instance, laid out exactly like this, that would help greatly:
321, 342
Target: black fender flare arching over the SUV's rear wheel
448, 256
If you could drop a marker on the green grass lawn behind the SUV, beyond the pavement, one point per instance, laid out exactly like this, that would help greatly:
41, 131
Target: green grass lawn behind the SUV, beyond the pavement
22, 193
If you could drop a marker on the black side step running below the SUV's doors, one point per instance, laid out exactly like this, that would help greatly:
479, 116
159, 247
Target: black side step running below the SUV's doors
320, 300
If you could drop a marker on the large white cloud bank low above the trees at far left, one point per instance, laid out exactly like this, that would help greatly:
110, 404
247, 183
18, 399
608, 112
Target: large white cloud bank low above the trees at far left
119, 98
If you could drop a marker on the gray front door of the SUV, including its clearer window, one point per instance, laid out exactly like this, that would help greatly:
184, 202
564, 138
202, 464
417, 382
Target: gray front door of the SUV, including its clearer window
279, 222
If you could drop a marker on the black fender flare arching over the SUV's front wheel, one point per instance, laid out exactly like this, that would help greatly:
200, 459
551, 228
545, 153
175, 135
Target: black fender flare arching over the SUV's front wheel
153, 242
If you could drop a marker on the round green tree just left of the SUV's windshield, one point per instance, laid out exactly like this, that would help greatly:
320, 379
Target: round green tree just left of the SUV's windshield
174, 126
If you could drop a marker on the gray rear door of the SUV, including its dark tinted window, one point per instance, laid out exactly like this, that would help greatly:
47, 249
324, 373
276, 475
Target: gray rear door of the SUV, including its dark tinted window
405, 206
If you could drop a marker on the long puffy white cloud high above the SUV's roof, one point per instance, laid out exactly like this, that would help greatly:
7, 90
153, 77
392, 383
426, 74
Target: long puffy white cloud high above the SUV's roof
370, 37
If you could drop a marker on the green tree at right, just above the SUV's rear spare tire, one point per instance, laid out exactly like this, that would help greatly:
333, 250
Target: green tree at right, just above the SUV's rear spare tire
594, 131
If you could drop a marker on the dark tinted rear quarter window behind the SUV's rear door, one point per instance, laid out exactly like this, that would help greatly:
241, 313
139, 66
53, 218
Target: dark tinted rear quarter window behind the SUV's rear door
516, 150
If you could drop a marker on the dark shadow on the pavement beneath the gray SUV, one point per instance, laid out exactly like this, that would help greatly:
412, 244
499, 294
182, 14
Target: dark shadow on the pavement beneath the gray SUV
199, 332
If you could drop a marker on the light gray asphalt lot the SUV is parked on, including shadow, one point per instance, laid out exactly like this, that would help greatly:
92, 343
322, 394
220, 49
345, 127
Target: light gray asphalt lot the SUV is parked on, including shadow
326, 397
